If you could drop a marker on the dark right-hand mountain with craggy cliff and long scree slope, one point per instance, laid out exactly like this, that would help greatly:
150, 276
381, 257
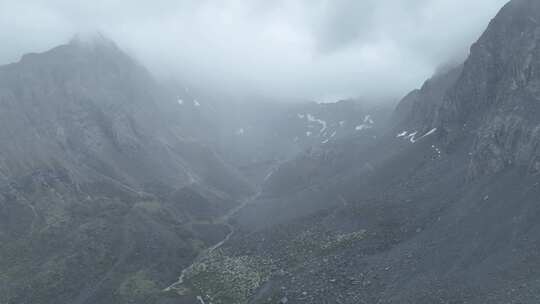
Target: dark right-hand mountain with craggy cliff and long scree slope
441, 208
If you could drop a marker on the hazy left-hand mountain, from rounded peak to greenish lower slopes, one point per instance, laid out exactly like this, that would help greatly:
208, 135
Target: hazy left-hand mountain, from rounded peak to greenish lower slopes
103, 195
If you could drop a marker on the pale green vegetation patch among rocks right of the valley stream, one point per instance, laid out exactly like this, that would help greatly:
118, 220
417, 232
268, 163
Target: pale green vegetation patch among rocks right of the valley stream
225, 278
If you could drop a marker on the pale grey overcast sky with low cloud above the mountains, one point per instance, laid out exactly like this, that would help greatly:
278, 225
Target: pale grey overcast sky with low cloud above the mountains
317, 49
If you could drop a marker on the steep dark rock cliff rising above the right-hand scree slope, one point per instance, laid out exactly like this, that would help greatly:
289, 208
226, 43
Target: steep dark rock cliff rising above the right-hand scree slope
496, 99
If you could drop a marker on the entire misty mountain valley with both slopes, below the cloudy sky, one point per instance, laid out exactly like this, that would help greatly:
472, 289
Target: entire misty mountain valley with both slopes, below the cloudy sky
116, 187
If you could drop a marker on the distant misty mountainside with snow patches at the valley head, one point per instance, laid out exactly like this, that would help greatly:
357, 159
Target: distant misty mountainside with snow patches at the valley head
256, 134
